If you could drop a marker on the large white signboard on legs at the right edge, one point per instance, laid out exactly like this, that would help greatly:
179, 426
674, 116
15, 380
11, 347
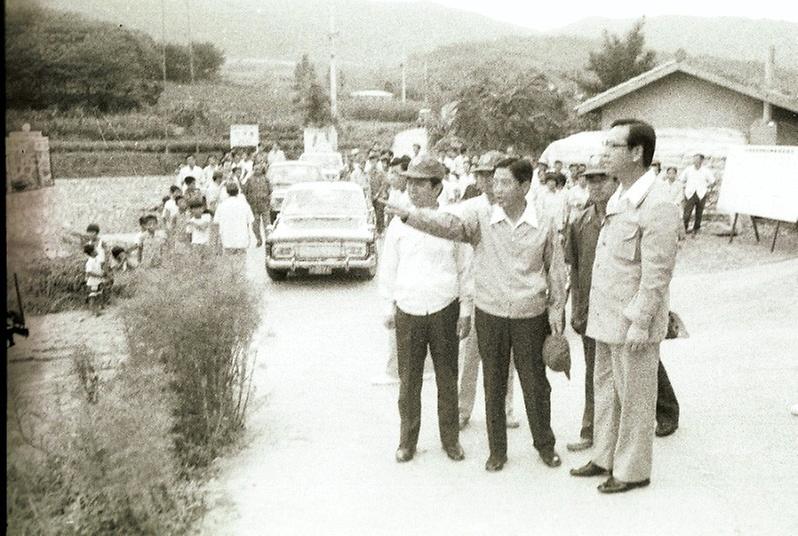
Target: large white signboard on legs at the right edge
761, 180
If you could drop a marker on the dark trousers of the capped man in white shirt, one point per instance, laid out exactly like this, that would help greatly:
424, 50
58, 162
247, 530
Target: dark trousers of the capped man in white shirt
414, 336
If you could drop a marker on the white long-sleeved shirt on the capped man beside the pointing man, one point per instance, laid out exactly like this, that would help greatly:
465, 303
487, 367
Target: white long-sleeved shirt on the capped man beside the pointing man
422, 274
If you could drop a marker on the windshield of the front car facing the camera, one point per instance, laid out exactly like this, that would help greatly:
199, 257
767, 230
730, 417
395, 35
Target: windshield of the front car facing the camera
324, 203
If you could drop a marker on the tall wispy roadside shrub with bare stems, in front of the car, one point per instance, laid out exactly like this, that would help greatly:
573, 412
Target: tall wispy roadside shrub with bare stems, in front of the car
199, 317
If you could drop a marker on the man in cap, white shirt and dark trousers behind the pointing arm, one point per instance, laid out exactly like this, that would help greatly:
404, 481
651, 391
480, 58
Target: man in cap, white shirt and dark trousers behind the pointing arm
427, 285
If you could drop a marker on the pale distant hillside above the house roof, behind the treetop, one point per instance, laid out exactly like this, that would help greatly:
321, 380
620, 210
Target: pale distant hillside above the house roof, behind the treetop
723, 37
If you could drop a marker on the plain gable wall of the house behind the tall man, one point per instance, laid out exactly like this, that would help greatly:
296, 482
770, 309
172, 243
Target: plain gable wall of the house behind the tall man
683, 101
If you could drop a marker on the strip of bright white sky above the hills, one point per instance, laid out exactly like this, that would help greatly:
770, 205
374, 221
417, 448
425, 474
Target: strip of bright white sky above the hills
551, 15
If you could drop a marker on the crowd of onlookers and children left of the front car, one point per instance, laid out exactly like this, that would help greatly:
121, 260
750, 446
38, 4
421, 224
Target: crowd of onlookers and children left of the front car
210, 210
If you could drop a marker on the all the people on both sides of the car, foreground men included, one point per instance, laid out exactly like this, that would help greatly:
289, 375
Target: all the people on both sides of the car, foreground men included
478, 258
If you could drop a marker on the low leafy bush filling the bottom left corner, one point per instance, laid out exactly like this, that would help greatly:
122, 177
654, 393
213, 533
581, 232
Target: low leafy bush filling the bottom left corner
99, 467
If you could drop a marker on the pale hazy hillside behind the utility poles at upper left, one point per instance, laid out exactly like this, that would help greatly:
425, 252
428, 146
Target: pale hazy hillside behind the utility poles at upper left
370, 32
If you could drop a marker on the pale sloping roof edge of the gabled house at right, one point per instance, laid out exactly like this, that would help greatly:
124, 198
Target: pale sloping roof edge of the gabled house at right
773, 97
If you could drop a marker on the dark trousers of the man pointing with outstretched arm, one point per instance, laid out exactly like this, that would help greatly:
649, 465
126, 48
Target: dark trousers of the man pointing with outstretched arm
497, 337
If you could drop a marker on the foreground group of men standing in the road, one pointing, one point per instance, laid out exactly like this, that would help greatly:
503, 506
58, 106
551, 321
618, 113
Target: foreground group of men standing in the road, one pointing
492, 264
